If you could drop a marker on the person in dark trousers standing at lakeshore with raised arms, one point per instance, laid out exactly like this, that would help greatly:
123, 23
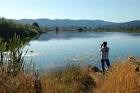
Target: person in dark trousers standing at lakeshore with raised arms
105, 53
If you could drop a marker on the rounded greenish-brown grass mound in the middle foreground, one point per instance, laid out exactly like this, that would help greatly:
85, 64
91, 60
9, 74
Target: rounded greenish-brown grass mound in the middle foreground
71, 79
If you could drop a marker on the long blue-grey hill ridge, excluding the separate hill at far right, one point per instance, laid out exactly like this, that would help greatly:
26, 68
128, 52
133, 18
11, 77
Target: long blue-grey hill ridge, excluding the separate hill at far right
66, 22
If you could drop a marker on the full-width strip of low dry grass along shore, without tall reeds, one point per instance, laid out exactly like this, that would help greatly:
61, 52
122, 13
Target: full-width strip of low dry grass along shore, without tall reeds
123, 77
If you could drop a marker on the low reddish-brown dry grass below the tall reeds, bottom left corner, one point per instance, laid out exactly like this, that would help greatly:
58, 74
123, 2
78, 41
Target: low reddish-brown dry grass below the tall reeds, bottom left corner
19, 84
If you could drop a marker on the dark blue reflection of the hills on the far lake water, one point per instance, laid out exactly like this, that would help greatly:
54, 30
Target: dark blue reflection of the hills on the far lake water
70, 35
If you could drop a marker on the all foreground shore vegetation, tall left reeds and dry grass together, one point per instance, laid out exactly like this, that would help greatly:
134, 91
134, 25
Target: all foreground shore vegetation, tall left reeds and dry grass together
16, 76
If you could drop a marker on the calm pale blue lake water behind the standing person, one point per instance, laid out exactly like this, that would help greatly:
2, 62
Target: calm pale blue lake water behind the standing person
54, 50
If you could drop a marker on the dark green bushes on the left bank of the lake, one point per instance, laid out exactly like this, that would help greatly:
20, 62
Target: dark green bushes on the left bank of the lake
8, 28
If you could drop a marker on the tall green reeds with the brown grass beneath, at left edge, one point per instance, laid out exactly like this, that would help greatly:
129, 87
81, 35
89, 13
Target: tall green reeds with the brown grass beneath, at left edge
13, 79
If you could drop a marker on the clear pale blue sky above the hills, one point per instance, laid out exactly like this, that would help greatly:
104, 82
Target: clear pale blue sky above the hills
109, 10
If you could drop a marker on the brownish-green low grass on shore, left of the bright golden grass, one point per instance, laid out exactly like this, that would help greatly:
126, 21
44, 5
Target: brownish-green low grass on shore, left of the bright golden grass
70, 79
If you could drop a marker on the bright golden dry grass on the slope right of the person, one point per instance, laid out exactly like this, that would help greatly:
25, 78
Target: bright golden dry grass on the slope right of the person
122, 78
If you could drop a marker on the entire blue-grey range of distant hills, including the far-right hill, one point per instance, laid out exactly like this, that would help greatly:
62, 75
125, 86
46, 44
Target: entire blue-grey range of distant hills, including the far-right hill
81, 23
